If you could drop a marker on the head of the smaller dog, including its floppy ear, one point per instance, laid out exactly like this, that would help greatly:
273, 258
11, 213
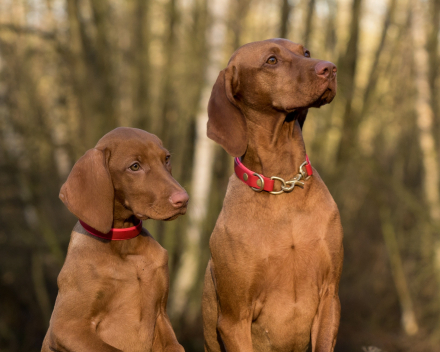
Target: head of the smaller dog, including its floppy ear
128, 170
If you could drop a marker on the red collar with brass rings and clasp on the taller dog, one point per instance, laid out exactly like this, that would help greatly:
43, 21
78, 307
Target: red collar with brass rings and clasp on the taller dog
260, 183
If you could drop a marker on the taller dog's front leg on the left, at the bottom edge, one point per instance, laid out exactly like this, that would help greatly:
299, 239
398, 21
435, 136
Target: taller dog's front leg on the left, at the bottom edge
235, 333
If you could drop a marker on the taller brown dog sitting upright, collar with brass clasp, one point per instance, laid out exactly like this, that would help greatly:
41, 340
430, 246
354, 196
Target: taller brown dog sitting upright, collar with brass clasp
272, 281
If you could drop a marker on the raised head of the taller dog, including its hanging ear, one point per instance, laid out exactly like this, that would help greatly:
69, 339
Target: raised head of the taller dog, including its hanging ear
268, 77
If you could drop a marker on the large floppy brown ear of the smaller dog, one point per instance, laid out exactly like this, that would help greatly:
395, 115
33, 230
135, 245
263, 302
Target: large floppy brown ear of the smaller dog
88, 192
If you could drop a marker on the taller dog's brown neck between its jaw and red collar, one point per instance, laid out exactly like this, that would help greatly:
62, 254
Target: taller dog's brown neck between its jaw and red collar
276, 146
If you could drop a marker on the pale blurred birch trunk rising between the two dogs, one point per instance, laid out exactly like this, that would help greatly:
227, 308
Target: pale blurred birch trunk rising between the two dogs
202, 168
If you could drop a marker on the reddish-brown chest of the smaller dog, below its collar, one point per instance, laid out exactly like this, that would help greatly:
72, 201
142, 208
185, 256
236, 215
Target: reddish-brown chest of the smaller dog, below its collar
118, 296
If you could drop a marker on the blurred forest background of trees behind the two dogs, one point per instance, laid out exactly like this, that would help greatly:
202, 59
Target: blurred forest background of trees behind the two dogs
72, 70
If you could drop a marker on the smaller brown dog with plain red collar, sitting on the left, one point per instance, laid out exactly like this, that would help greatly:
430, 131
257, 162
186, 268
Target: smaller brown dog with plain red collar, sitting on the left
113, 294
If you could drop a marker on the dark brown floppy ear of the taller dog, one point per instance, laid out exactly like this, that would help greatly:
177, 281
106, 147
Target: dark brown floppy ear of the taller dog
226, 124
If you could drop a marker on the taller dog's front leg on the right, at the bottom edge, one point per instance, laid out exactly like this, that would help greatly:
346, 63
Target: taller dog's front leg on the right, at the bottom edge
326, 323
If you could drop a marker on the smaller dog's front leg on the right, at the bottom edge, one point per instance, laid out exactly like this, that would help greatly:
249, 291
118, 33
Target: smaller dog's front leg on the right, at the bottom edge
164, 337
